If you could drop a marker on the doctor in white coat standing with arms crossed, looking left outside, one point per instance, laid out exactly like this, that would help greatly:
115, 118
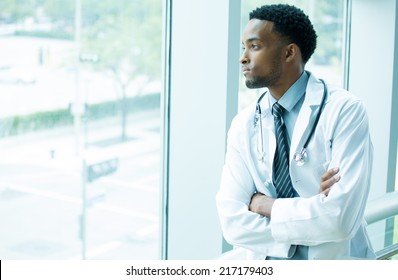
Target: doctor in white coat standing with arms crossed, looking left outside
325, 144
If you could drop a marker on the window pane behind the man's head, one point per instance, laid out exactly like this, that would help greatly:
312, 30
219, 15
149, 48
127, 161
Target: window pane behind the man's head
327, 62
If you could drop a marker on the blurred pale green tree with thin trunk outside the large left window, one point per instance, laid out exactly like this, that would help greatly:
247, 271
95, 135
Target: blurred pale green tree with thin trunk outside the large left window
126, 36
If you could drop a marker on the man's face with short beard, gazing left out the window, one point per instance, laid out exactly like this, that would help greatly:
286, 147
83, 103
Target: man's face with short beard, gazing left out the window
262, 54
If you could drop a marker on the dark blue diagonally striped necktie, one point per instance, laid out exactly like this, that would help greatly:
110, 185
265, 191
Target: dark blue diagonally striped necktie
281, 177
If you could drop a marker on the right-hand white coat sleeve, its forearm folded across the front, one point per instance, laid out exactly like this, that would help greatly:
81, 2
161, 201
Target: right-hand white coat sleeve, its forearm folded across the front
320, 219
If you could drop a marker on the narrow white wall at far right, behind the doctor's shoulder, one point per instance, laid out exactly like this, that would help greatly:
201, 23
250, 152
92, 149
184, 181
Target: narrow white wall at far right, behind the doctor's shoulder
373, 76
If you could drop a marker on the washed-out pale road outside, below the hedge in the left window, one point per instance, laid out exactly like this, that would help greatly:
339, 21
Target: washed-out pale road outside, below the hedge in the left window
41, 193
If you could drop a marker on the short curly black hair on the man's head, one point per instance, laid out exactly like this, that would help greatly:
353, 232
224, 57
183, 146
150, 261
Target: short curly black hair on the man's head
290, 22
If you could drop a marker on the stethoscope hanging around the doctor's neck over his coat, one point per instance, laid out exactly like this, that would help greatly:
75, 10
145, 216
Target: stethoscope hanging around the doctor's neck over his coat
301, 156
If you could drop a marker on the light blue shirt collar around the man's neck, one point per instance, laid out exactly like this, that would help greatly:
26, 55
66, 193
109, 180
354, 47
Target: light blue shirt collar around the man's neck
293, 94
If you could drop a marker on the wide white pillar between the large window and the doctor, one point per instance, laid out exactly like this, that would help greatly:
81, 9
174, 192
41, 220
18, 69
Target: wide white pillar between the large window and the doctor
205, 45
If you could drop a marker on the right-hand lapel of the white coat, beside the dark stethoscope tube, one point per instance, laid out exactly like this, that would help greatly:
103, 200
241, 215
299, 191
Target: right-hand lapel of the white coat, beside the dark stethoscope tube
307, 114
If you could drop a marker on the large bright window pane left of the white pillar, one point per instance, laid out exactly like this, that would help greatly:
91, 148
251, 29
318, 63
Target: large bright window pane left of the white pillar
80, 129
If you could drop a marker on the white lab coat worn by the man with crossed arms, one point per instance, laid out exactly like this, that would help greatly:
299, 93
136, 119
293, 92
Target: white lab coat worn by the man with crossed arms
333, 227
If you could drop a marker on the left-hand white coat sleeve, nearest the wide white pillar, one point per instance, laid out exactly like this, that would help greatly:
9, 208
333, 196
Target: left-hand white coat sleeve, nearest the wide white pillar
240, 226
